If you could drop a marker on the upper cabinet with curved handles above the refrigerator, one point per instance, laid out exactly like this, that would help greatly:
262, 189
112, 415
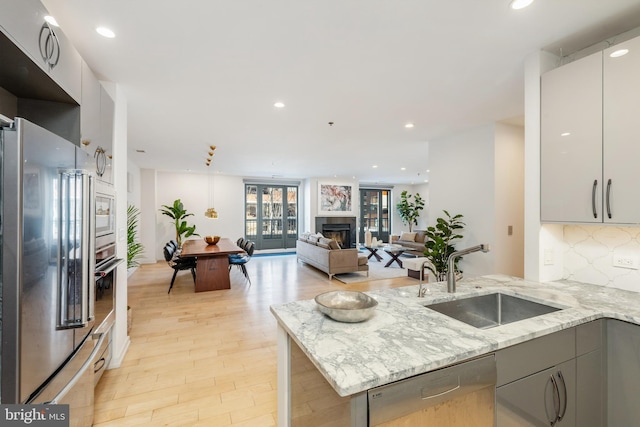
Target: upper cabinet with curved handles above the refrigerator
47, 46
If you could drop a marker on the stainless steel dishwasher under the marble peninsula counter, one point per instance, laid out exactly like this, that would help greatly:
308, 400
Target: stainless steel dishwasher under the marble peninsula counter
456, 396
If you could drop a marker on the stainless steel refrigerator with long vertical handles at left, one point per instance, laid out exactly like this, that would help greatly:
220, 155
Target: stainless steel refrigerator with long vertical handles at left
47, 282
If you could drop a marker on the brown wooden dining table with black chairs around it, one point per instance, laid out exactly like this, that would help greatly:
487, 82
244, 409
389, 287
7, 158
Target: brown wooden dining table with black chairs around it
212, 265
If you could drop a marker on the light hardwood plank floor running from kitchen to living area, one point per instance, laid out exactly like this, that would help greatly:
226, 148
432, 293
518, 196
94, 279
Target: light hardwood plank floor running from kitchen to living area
207, 359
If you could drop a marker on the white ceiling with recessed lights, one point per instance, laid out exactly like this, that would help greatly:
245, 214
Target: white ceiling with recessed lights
201, 72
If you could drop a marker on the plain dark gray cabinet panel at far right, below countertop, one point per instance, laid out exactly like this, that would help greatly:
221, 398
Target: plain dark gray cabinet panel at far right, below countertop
623, 374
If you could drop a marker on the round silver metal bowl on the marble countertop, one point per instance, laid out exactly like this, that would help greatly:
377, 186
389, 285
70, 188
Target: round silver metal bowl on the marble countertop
346, 306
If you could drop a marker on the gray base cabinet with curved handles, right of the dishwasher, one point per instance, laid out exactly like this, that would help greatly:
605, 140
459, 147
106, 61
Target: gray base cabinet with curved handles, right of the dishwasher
556, 380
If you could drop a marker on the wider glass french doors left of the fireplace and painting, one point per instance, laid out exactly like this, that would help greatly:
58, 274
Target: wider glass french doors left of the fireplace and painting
271, 215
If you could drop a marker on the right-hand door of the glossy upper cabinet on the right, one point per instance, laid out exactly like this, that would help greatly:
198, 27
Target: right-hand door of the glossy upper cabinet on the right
621, 133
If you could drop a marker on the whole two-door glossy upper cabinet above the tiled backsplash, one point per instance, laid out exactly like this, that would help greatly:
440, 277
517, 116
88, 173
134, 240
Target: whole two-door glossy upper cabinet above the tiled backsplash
590, 139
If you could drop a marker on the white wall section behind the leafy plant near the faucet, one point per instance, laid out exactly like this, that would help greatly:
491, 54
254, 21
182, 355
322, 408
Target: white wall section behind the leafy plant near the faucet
461, 181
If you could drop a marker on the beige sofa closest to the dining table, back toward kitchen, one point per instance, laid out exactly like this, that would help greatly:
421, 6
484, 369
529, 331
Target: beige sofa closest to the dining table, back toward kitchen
326, 255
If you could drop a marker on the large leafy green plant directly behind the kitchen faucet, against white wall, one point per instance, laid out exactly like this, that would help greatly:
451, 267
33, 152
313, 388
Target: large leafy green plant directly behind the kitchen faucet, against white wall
440, 244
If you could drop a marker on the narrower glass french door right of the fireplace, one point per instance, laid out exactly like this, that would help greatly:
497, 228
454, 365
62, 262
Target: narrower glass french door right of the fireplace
375, 214
